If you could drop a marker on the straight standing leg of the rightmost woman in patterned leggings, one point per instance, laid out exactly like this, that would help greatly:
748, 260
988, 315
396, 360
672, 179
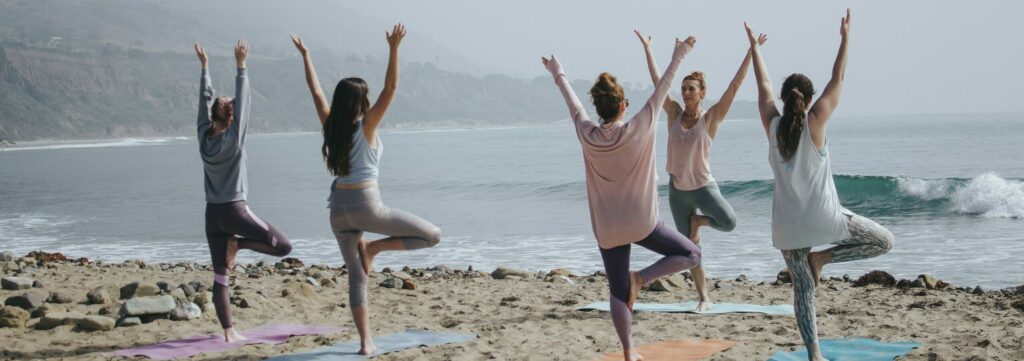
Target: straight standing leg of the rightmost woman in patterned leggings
803, 300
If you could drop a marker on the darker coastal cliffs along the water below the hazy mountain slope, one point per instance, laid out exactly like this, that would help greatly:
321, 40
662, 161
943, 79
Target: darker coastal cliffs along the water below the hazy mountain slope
56, 95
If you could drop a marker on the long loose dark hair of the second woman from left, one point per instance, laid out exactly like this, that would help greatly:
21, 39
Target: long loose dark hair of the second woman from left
350, 103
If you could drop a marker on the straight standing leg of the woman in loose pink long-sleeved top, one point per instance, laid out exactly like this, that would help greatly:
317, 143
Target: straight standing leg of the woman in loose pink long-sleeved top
617, 266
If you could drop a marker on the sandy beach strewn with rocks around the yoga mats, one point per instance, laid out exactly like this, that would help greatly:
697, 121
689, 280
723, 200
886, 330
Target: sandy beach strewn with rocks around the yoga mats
527, 318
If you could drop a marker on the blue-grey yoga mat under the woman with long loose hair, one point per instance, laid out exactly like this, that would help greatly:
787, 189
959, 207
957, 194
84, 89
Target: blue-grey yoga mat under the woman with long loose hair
392, 343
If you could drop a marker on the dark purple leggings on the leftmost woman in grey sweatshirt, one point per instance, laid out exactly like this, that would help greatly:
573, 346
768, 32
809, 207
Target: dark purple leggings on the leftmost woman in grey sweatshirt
225, 220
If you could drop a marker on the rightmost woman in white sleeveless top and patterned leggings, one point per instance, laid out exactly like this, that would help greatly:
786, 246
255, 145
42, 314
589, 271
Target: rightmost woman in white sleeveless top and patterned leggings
806, 211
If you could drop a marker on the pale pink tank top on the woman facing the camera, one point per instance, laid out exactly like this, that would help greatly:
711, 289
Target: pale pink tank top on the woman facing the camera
690, 154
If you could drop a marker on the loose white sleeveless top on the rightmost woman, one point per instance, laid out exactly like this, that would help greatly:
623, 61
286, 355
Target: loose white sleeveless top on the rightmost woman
806, 211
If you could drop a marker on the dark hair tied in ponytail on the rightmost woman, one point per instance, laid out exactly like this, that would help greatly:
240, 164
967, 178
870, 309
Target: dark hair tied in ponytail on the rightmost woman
797, 93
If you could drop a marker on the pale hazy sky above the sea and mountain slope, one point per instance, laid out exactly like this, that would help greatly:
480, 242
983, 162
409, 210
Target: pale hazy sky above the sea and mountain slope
906, 57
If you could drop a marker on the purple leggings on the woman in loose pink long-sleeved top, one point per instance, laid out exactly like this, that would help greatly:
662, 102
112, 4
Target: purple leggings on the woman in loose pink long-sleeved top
680, 254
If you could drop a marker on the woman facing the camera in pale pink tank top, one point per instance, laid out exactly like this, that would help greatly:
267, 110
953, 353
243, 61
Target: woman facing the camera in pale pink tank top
692, 187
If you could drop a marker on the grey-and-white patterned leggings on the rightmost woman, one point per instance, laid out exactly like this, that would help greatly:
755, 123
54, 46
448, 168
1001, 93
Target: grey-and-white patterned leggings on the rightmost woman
868, 240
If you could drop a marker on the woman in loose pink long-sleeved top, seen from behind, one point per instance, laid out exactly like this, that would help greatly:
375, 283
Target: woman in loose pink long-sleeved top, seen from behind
622, 189
